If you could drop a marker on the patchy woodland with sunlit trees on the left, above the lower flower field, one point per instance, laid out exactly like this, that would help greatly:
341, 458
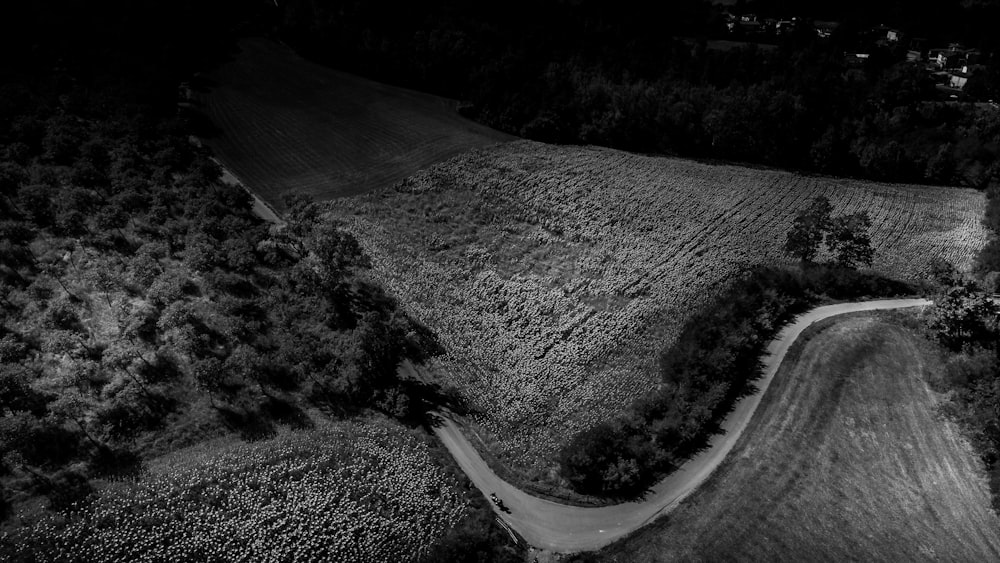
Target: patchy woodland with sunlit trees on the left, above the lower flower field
137, 287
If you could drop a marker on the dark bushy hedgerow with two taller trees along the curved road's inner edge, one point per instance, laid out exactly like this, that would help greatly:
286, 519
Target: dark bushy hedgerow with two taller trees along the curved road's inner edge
717, 356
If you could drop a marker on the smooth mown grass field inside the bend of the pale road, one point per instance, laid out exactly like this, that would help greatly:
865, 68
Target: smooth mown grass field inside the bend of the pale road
845, 460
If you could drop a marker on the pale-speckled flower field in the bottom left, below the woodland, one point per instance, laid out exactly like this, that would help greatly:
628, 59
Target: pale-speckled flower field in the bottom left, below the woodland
346, 492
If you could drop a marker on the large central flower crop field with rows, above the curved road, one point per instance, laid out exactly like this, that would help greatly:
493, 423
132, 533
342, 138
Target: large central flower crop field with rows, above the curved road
554, 275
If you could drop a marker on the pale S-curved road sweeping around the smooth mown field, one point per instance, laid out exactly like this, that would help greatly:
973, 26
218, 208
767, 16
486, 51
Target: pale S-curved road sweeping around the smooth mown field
561, 528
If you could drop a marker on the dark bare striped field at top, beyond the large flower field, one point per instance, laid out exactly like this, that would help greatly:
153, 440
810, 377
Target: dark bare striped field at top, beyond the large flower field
289, 125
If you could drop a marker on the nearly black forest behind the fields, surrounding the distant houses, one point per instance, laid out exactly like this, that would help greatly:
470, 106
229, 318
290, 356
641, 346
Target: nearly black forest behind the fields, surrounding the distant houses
611, 74
